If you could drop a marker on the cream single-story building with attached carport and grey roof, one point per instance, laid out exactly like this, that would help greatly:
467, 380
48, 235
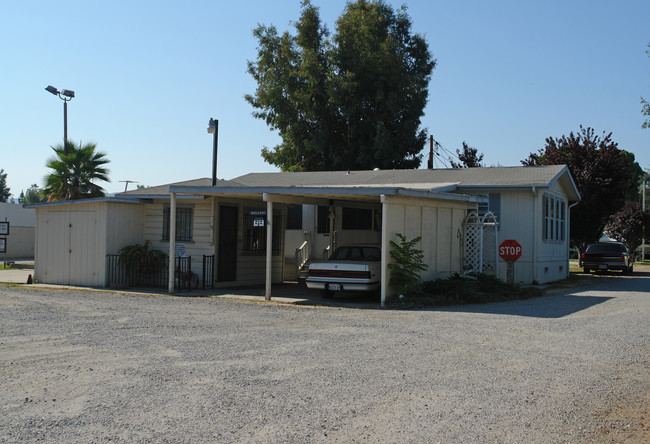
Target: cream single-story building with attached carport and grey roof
310, 212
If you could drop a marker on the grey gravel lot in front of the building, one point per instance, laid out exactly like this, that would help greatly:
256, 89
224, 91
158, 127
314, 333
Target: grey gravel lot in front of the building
98, 367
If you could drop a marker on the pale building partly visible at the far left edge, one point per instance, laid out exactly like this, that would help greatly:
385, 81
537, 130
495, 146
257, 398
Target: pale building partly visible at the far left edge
19, 243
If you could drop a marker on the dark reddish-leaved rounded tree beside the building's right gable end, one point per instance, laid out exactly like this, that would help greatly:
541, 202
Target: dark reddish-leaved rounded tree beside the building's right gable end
605, 177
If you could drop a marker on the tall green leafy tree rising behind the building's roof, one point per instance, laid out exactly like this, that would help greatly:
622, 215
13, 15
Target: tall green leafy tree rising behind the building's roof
352, 101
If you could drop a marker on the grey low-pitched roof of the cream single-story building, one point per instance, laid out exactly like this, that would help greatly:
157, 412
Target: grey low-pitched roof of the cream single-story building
434, 183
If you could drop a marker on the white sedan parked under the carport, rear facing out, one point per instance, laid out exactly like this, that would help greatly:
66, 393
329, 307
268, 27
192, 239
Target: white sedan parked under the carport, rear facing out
350, 268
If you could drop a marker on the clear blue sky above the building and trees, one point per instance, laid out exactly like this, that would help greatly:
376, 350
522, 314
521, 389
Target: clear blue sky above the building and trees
149, 75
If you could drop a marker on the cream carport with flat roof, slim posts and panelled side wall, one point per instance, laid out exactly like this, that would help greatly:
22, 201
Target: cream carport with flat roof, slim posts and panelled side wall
412, 210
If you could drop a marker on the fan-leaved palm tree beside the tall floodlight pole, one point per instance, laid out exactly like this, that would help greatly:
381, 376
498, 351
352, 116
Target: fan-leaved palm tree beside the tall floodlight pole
73, 172
